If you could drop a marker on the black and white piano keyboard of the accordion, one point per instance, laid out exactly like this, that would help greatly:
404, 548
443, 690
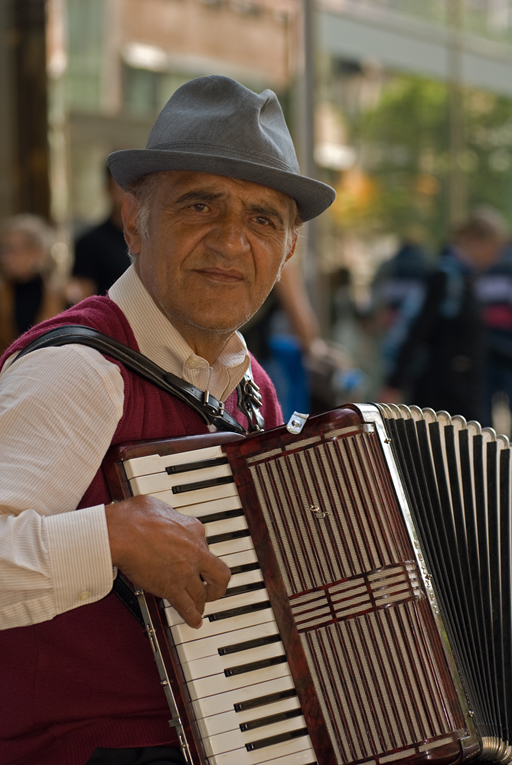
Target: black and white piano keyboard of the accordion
235, 667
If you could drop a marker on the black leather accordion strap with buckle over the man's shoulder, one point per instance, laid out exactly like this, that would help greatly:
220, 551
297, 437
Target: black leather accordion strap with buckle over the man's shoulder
202, 402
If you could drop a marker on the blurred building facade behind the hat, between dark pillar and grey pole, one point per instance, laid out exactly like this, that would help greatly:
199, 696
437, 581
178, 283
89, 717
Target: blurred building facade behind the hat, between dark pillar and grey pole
114, 63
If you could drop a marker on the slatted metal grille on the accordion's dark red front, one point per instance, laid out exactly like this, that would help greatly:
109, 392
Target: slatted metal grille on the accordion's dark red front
357, 599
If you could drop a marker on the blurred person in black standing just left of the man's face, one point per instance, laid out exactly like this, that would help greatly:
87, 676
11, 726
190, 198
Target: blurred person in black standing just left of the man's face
101, 254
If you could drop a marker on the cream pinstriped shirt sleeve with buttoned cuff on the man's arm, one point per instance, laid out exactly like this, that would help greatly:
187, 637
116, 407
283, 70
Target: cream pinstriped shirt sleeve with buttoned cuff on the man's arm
59, 408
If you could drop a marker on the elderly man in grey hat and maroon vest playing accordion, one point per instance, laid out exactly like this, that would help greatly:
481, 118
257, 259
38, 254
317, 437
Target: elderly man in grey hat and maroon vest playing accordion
210, 217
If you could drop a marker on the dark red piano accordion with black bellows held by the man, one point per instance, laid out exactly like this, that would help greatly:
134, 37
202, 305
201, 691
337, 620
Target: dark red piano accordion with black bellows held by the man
368, 618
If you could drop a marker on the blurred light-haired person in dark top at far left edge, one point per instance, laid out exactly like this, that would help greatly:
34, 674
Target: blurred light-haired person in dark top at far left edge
28, 291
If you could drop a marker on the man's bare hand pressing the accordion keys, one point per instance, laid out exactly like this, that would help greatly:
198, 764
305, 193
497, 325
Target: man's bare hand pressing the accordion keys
165, 553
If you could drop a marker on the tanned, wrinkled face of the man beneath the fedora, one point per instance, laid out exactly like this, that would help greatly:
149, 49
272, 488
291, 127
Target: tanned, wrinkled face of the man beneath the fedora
214, 249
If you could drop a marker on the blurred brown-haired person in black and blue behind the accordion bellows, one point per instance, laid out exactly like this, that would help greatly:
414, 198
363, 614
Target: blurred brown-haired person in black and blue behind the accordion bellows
443, 362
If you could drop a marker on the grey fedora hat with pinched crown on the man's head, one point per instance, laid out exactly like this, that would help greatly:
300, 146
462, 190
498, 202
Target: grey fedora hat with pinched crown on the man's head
216, 125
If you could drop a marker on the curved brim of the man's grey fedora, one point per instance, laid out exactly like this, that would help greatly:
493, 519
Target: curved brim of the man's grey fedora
312, 197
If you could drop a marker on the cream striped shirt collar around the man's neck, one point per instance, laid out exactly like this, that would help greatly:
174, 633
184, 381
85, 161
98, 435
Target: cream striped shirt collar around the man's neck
160, 341
